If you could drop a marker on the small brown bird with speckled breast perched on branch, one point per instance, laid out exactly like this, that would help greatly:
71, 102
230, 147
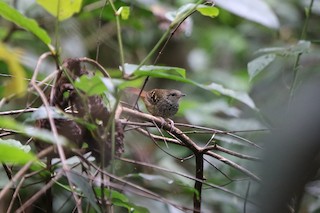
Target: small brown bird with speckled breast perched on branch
160, 102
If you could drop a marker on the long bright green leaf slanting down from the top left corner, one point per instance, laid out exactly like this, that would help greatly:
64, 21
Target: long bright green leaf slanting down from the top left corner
30, 25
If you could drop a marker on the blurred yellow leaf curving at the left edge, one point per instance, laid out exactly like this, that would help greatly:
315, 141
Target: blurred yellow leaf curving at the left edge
17, 84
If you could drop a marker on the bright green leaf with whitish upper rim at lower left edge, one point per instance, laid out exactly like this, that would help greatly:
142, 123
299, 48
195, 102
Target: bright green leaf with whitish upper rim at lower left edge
12, 151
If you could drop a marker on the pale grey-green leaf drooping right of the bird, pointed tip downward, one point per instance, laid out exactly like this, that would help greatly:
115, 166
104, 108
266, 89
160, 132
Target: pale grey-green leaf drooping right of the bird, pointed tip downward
258, 64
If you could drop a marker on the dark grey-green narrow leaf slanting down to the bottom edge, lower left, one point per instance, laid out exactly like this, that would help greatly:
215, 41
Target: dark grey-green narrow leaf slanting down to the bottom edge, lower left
85, 187
